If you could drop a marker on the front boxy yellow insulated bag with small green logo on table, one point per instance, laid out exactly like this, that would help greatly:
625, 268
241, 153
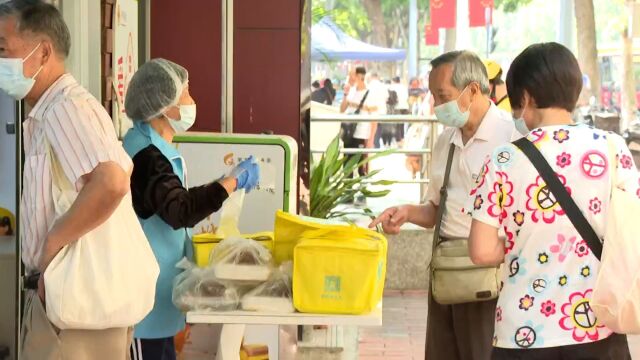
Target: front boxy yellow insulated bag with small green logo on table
339, 270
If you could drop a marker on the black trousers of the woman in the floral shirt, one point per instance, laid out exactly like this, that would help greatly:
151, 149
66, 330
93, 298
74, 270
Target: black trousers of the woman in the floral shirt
614, 347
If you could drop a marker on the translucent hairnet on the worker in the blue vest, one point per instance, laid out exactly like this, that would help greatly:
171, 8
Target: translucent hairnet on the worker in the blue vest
156, 86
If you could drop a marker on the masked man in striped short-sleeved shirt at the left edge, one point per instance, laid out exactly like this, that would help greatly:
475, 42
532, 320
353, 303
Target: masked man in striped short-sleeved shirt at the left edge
34, 42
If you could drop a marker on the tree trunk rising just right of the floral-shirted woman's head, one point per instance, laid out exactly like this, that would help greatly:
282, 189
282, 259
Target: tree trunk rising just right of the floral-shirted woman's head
587, 51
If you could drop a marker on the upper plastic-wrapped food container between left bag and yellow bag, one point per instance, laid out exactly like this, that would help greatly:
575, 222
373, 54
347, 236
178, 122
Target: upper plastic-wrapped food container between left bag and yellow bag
239, 259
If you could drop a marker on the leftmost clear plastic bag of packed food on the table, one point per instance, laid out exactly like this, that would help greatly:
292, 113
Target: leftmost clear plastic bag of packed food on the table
199, 289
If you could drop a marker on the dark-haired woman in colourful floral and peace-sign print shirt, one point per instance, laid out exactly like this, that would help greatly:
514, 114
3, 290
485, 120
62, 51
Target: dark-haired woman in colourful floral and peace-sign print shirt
549, 271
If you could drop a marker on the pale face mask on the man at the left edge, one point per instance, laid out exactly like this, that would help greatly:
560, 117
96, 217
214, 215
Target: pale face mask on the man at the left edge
12, 79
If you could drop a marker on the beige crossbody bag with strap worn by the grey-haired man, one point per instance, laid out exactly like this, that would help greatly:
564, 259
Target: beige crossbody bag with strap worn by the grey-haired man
455, 279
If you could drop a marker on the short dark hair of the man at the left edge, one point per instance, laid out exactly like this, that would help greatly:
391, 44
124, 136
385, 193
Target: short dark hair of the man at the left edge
40, 18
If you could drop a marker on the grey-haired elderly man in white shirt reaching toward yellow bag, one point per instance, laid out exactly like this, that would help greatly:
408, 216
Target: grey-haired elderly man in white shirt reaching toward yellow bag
474, 127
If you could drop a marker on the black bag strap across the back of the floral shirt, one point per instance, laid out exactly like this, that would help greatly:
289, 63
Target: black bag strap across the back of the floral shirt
562, 195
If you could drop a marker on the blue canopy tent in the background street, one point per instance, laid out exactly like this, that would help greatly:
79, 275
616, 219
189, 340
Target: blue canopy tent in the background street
330, 43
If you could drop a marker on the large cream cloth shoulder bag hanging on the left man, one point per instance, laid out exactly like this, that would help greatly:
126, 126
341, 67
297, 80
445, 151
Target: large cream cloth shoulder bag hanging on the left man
106, 279
